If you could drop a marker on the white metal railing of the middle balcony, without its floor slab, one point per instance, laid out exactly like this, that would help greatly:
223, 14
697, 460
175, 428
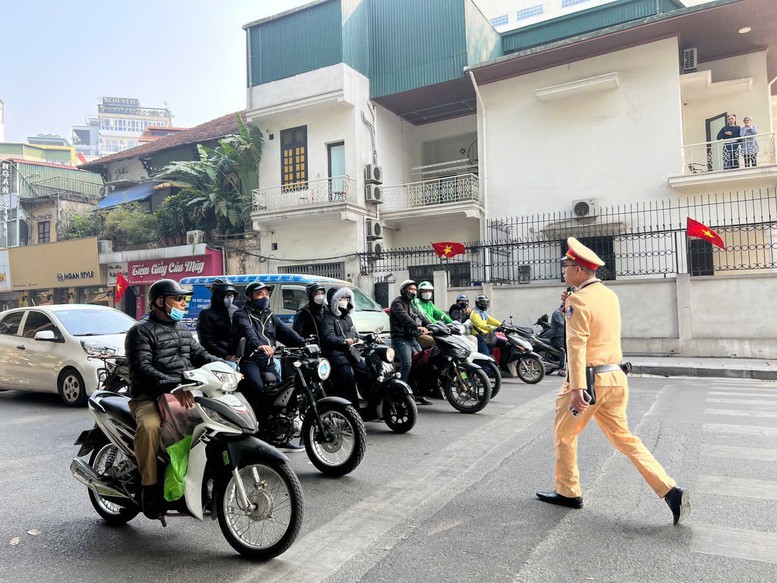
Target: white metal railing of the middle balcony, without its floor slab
429, 193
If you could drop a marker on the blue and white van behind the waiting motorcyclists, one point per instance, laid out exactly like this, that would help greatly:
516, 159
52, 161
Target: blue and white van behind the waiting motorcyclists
287, 295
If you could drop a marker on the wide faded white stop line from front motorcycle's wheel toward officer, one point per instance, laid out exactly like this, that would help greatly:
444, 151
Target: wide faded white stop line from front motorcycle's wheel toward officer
436, 480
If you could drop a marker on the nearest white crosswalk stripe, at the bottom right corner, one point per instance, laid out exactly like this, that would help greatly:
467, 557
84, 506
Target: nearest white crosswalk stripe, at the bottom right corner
751, 545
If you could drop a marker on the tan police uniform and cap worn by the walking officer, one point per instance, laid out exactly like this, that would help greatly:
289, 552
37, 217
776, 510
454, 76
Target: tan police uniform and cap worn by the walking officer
593, 338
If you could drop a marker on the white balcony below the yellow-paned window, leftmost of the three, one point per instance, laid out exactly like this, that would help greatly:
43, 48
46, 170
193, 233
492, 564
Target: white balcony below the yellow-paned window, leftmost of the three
313, 199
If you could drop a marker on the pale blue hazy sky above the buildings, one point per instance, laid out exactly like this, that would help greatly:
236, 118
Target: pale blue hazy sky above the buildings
59, 57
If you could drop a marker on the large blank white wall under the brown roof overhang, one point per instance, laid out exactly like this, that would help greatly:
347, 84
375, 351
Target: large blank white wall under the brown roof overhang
618, 146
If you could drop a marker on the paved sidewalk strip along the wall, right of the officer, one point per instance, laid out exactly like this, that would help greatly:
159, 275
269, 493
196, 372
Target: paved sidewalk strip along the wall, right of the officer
673, 366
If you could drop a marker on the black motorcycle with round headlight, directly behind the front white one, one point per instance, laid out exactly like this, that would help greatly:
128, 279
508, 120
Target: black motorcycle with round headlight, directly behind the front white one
333, 432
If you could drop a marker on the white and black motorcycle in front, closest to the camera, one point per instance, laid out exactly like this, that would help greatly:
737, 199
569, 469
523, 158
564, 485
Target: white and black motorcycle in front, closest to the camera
245, 483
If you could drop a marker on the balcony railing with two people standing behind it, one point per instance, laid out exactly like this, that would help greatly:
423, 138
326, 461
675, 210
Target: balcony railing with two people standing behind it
746, 152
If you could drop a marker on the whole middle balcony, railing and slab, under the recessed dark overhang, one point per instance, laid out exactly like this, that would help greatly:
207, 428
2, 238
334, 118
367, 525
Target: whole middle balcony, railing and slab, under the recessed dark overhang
439, 196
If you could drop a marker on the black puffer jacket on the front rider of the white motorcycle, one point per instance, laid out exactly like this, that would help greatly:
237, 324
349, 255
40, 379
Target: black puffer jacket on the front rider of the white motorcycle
157, 353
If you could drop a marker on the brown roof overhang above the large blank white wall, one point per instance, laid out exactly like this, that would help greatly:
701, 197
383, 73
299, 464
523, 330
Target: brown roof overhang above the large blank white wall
712, 28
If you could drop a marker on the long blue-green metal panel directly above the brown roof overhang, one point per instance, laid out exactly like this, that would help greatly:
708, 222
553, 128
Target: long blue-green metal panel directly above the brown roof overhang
582, 22
